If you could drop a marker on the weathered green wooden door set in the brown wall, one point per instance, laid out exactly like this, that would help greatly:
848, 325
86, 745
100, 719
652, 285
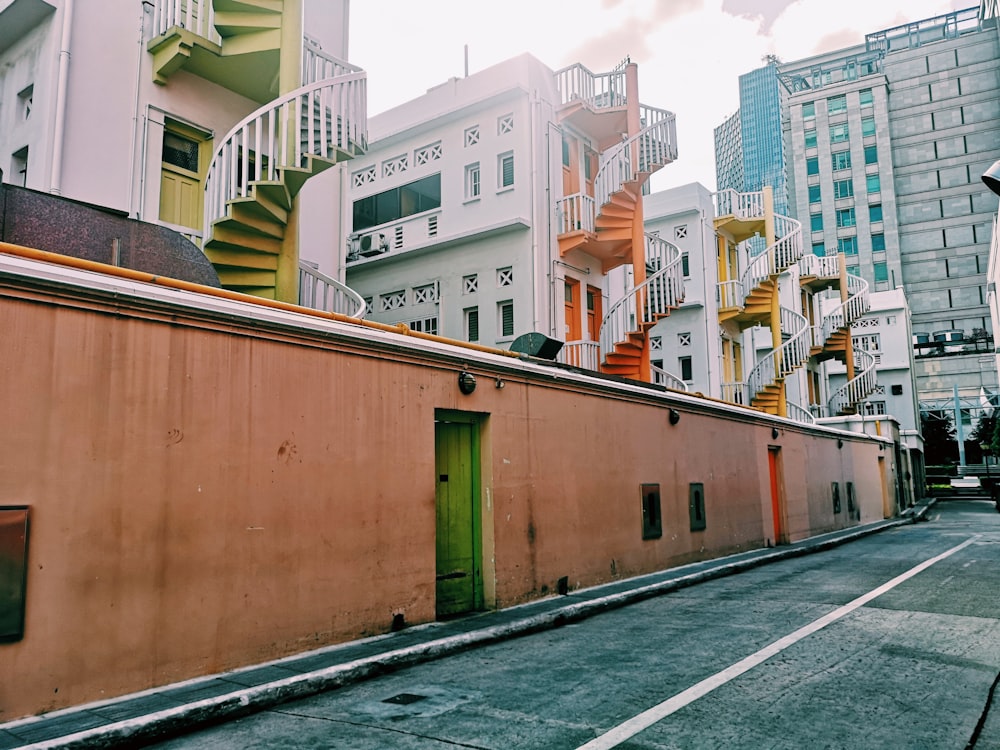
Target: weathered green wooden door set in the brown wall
459, 569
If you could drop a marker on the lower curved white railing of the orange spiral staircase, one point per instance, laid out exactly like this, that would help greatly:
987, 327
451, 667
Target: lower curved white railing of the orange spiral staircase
662, 292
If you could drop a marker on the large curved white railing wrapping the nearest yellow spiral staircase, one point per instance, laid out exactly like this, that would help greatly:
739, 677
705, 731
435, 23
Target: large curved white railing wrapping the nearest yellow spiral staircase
318, 119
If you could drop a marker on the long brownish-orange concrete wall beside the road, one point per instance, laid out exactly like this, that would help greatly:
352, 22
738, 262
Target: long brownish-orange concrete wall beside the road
208, 493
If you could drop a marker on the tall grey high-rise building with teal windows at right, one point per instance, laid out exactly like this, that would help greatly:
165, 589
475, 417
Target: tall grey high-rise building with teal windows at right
884, 144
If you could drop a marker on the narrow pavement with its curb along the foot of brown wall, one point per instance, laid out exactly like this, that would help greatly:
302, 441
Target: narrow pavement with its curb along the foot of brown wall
173, 709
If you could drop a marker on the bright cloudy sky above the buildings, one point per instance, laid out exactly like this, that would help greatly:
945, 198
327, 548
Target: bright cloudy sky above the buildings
690, 53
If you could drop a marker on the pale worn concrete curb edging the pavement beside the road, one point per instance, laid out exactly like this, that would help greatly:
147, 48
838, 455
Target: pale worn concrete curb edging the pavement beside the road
171, 722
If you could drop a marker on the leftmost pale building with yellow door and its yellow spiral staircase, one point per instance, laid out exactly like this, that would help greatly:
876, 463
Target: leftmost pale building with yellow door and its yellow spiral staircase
134, 107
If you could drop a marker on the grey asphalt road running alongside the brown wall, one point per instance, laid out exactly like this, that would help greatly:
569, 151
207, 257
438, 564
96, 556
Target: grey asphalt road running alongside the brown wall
891, 641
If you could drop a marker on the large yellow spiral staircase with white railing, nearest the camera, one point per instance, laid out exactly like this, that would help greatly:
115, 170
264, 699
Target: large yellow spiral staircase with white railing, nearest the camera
257, 48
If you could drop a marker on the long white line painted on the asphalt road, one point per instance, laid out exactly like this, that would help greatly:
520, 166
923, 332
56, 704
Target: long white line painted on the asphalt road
646, 719
